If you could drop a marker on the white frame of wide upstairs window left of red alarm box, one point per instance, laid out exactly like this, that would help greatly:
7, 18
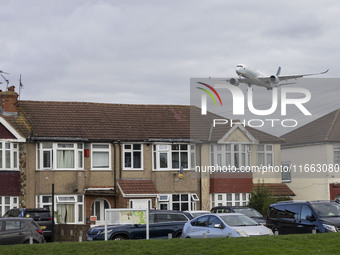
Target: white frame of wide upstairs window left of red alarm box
78, 149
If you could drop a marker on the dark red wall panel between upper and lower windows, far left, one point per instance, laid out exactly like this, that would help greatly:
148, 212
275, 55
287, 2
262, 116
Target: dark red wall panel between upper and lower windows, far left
9, 183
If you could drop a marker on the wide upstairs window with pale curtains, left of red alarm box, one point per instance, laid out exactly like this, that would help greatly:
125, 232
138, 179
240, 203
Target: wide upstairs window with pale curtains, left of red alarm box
60, 156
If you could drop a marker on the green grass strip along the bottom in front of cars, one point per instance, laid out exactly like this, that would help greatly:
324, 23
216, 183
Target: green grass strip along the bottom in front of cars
288, 244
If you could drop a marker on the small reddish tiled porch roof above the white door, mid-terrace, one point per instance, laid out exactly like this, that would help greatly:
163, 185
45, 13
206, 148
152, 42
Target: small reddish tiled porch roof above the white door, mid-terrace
131, 187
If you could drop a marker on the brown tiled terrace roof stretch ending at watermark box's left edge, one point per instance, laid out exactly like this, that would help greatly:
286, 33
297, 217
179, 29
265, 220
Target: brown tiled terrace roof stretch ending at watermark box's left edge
106, 121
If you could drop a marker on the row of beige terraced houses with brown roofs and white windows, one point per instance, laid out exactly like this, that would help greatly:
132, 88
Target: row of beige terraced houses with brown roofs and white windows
102, 156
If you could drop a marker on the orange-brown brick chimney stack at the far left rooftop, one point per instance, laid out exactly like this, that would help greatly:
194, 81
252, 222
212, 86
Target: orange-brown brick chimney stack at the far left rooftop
8, 101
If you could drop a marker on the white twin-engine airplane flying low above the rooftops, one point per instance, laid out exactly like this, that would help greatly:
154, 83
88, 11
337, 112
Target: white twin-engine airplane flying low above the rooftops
251, 76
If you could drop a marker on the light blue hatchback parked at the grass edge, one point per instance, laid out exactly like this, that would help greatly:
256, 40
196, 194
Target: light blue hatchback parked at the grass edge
223, 225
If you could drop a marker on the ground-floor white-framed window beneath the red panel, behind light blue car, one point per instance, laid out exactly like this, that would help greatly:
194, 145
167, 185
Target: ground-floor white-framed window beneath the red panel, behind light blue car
229, 199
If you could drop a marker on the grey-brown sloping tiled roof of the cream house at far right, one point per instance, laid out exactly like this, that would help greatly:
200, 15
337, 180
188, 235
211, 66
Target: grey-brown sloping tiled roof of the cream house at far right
324, 129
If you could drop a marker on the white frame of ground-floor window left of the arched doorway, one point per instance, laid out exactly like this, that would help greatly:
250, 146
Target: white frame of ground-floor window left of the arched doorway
77, 200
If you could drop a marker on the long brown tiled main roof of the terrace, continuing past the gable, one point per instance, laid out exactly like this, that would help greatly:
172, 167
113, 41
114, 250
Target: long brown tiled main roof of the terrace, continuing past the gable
100, 121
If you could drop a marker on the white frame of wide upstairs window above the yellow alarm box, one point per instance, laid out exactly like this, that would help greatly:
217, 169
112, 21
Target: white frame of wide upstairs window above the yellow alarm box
167, 150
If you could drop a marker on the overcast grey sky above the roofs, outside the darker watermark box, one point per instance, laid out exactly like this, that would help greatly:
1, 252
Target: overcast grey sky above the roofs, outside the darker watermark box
146, 51
